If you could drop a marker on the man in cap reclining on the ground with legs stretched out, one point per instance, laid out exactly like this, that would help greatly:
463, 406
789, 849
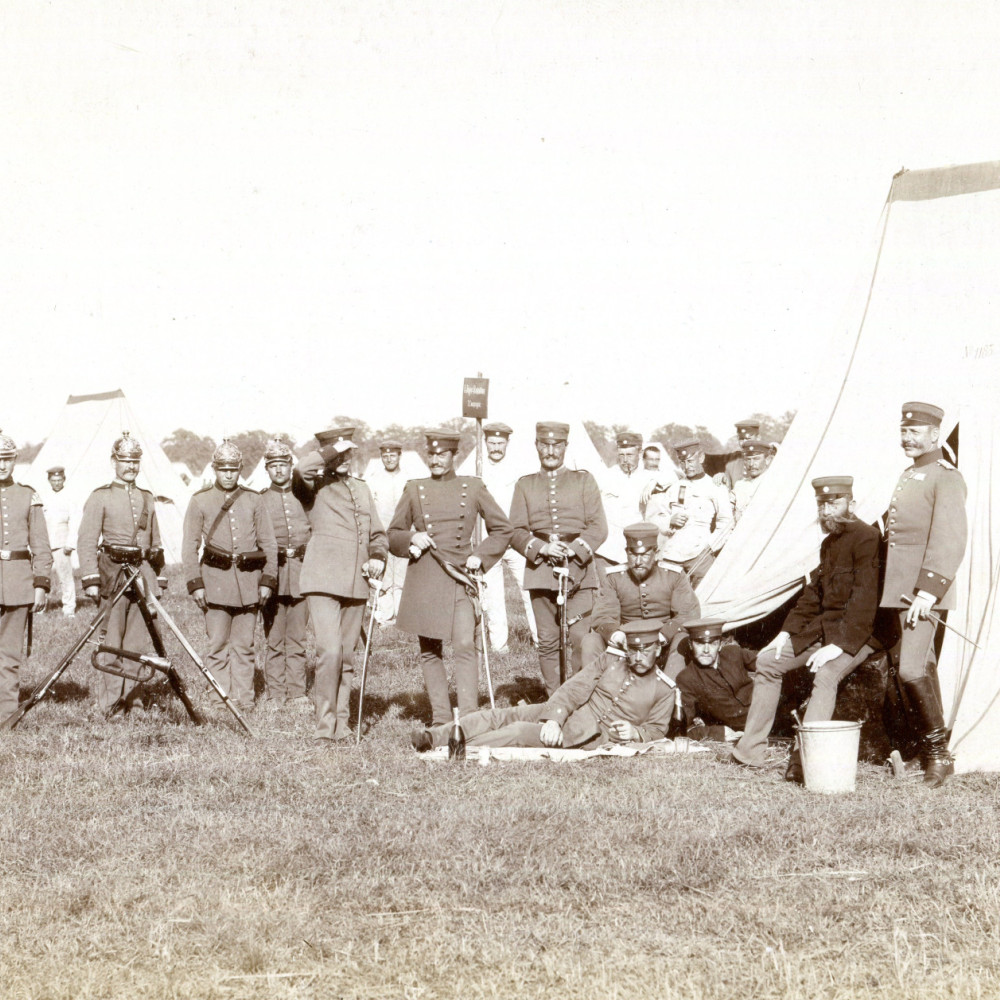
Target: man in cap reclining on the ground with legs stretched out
615, 698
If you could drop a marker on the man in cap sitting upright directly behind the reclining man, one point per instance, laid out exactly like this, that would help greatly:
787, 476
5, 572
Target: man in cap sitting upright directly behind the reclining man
640, 589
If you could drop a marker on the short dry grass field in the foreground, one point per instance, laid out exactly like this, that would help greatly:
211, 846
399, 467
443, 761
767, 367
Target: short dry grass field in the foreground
144, 857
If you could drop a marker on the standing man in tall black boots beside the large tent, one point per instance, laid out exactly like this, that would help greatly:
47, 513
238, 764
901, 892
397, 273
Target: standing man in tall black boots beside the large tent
926, 534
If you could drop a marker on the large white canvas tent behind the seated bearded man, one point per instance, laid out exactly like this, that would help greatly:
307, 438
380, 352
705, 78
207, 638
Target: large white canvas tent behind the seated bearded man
924, 328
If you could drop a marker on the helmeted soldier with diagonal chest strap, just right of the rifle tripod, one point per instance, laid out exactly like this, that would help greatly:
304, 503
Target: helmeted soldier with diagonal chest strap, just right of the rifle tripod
238, 570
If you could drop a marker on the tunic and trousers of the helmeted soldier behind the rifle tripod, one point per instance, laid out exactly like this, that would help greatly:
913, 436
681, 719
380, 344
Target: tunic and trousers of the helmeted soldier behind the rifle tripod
119, 514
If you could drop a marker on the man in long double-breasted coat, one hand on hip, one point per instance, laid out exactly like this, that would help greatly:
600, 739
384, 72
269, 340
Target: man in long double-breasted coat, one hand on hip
433, 525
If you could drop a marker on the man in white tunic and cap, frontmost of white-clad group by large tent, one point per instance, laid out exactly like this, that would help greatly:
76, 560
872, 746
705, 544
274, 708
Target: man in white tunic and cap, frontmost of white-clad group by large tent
694, 515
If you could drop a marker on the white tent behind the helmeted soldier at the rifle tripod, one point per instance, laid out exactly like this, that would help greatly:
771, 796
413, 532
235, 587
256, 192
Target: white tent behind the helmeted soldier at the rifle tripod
81, 440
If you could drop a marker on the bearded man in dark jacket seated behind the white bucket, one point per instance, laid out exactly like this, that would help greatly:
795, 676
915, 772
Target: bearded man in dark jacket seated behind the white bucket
830, 627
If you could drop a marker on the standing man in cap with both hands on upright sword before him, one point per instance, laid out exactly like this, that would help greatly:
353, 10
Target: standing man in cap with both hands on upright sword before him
558, 521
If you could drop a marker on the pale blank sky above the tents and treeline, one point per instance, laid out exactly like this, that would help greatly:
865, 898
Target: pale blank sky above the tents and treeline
260, 215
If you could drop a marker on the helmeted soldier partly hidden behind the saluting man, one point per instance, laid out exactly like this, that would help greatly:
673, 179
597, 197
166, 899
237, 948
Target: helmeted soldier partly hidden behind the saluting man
285, 615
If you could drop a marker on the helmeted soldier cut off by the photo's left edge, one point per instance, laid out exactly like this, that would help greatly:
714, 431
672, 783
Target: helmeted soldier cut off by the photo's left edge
25, 564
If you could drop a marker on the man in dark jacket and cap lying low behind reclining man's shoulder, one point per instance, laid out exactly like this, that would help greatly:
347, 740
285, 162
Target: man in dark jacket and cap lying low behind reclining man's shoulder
712, 679
